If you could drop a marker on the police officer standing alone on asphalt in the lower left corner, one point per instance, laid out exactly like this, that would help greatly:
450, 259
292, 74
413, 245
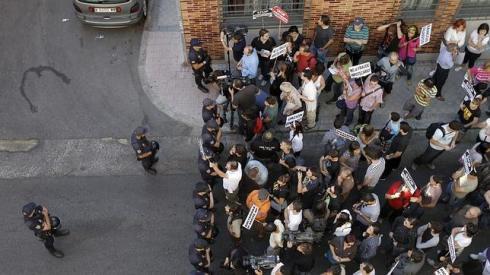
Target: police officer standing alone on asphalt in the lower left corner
45, 226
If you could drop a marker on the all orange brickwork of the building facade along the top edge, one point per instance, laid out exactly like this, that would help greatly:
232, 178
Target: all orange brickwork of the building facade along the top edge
203, 18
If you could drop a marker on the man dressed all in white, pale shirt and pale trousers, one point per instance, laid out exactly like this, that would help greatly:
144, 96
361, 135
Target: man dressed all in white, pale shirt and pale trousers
309, 95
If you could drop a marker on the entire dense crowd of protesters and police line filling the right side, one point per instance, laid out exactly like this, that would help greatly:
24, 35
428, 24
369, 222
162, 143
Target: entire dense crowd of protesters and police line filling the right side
333, 208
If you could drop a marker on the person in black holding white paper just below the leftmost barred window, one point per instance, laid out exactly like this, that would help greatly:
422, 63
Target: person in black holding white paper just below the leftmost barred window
264, 44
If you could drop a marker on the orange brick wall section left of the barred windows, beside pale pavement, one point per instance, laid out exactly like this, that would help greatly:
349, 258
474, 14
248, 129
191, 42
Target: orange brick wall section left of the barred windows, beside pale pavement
200, 19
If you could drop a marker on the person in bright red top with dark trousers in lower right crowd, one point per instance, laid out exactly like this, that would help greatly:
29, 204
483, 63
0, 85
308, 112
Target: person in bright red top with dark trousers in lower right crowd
398, 198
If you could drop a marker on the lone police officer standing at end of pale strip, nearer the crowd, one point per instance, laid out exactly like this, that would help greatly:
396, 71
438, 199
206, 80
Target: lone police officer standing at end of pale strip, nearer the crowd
145, 150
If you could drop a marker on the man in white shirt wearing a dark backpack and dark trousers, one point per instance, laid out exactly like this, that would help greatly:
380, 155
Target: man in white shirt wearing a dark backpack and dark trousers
443, 139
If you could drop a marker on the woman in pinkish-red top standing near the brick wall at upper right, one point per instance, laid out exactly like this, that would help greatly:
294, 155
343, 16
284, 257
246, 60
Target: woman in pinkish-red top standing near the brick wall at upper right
407, 50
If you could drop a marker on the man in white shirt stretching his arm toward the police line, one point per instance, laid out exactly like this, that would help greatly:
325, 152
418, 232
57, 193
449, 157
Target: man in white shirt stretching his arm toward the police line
231, 179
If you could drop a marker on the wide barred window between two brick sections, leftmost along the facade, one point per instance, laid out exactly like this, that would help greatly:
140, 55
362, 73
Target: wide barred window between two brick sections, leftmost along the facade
239, 12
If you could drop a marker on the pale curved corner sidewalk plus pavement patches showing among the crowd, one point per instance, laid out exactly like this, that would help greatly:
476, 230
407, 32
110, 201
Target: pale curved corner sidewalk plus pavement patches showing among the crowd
169, 82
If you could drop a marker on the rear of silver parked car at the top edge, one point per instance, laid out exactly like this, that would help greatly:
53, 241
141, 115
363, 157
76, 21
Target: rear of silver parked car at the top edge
110, 13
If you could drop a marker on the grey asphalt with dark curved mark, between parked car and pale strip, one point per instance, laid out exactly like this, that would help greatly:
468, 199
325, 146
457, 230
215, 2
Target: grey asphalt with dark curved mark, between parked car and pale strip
67, 80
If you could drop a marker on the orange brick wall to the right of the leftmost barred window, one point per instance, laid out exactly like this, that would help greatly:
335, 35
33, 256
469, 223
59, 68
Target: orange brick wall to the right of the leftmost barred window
375, 13
